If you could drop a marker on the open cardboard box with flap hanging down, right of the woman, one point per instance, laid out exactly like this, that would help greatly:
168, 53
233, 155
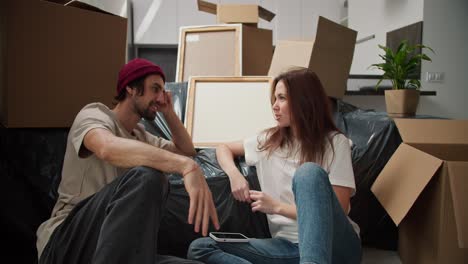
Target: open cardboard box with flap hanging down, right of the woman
423, 189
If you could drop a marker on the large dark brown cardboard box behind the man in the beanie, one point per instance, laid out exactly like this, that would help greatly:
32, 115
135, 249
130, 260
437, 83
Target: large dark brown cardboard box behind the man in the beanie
55, 59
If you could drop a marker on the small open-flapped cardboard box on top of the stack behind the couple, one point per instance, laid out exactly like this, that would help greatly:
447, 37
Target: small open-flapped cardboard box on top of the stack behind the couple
236, 13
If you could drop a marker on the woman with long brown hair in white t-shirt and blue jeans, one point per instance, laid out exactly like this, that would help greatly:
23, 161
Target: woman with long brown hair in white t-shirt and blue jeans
305, 172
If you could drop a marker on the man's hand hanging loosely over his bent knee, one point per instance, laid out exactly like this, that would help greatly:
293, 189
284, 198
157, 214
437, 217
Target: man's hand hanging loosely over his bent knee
201, 201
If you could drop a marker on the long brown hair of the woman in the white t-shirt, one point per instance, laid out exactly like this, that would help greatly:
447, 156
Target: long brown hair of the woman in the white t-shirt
311, 117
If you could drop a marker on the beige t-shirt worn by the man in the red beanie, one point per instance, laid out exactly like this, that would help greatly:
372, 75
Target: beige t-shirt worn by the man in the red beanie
84, 176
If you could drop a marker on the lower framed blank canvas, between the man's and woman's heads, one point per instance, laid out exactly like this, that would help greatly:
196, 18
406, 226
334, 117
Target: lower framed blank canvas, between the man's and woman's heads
224, 109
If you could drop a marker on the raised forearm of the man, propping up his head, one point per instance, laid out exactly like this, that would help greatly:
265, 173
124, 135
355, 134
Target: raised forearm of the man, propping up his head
180, 137
